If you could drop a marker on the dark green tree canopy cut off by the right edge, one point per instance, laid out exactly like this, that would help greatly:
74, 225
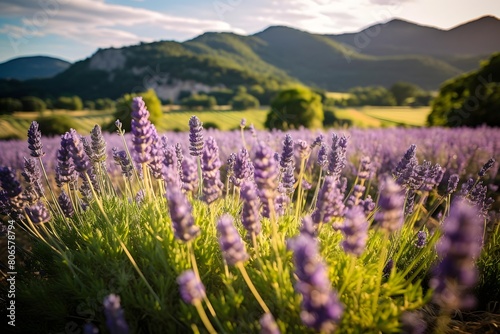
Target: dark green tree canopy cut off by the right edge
471, 99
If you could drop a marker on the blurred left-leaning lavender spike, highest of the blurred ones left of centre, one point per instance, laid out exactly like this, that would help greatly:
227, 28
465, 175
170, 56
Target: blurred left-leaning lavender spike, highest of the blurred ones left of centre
181, 214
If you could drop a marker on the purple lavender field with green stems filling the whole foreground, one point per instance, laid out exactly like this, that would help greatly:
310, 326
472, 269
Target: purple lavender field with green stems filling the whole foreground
380, 230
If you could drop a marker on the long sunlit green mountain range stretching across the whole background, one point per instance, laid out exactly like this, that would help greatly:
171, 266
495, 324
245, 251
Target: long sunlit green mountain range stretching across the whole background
380, 55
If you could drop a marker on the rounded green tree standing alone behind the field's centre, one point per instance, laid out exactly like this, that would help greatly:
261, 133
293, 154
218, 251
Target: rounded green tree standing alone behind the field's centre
295, 107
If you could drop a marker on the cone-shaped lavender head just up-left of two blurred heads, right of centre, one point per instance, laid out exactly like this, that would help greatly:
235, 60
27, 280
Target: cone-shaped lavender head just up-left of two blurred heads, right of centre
330, 202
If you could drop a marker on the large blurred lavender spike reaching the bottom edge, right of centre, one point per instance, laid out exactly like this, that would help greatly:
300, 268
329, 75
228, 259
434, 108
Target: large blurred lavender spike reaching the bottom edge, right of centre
321, 309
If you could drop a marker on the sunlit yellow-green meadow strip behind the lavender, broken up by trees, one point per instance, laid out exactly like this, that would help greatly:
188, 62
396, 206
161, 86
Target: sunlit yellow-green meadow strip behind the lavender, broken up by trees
14, 126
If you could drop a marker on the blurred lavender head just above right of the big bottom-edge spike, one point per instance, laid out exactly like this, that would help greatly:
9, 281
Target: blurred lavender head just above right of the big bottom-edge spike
355, 231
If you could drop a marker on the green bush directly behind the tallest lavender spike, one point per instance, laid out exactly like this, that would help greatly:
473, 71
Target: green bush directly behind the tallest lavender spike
123, 110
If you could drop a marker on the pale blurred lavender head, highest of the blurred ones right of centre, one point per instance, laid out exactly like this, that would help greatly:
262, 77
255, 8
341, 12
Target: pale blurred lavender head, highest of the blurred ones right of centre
391, 202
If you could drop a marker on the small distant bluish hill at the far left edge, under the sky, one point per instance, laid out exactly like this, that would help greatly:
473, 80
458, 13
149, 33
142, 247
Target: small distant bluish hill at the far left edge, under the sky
25, 68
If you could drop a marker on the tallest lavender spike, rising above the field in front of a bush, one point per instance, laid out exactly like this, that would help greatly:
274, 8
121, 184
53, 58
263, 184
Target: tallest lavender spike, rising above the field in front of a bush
142, 131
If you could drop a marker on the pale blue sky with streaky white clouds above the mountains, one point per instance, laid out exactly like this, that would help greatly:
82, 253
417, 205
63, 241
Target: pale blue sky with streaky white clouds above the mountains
74, 29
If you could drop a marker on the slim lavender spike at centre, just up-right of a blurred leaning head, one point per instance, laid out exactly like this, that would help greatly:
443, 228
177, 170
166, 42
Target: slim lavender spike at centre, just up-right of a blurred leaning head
250, 217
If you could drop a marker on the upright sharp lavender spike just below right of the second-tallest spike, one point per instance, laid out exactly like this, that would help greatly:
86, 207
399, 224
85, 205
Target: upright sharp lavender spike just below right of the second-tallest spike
212, 185
